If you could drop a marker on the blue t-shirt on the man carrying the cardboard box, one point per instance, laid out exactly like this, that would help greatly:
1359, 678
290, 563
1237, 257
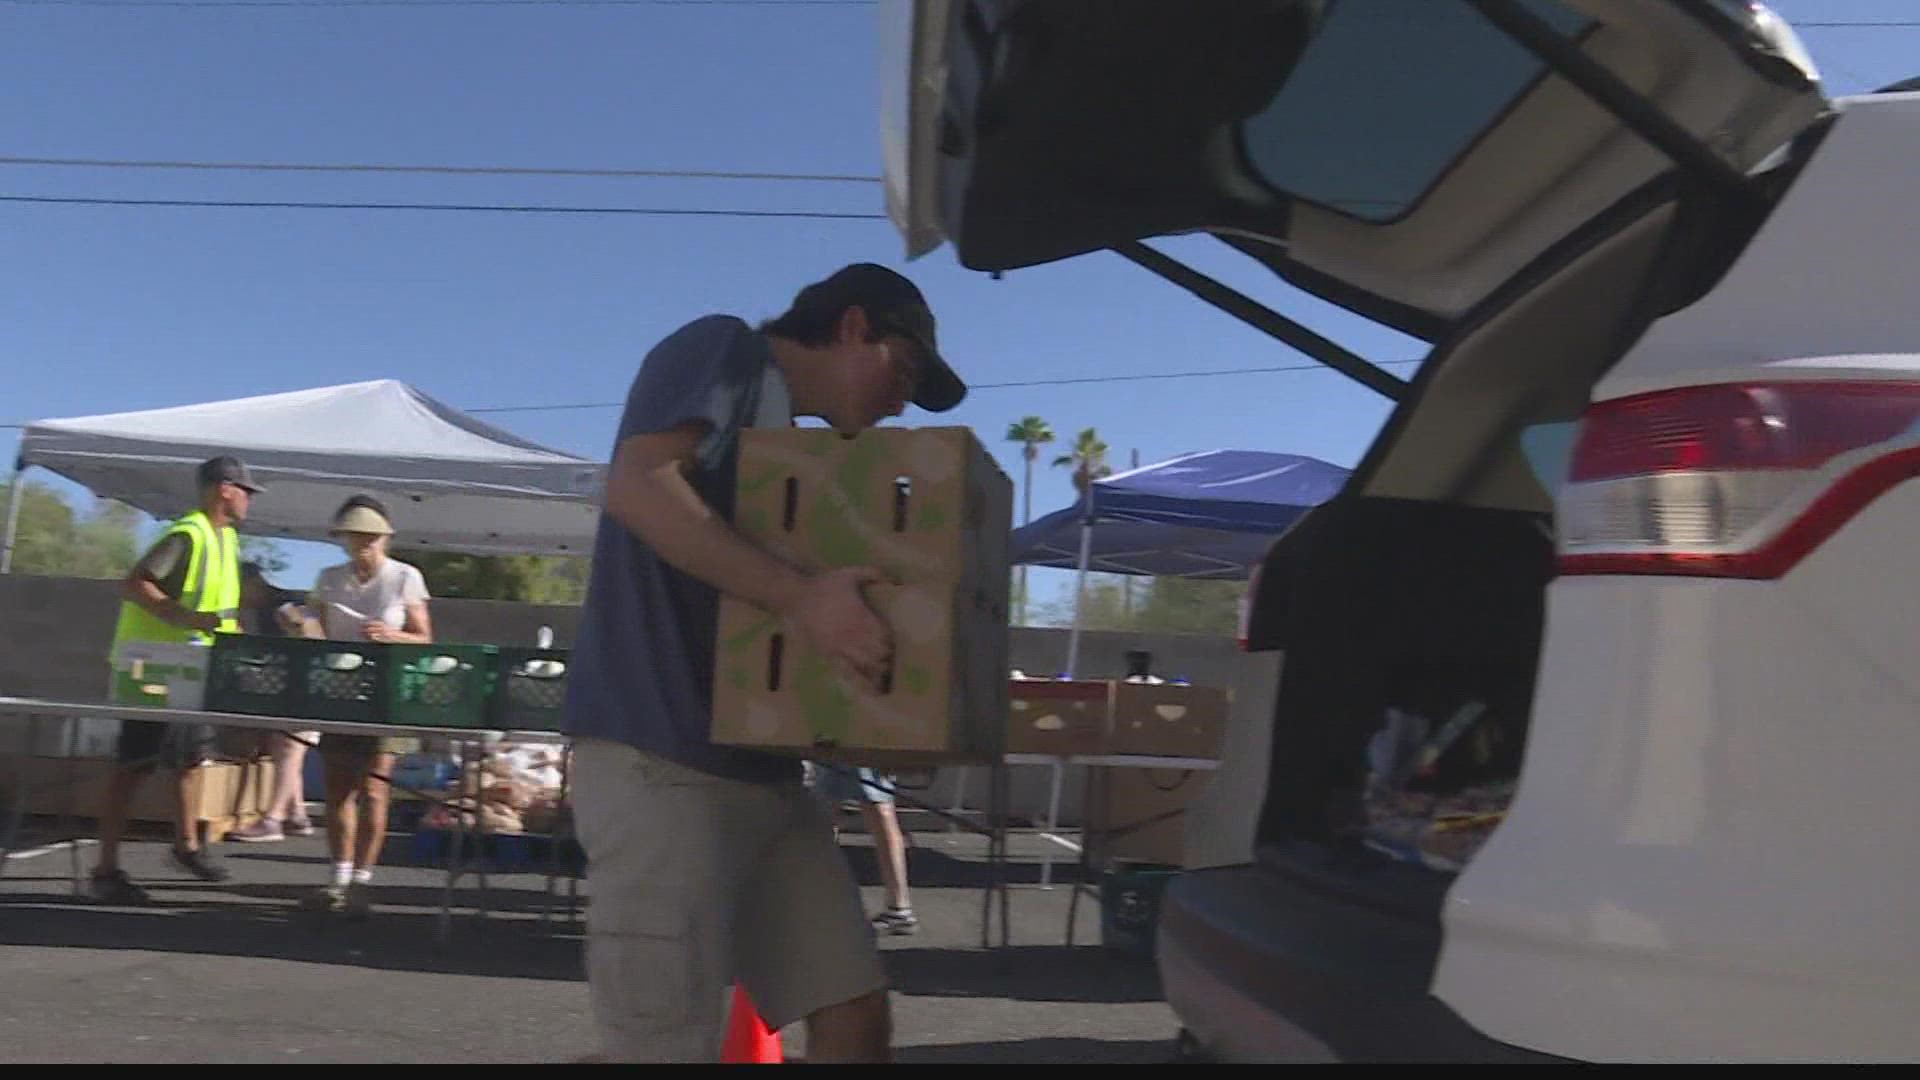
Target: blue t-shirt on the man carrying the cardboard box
644, 662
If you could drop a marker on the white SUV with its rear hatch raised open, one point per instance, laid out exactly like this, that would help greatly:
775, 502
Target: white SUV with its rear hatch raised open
1681, 660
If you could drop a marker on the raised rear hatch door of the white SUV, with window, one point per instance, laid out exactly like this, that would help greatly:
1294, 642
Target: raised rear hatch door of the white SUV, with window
1403, 159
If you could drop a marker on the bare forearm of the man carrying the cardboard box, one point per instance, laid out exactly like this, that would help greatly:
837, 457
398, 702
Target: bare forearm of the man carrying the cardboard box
684, 531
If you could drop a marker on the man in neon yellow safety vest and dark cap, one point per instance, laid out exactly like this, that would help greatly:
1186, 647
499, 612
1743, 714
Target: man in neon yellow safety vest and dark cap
185, 589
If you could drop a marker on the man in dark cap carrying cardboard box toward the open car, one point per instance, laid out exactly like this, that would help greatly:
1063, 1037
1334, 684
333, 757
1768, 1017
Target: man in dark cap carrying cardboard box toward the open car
713, 866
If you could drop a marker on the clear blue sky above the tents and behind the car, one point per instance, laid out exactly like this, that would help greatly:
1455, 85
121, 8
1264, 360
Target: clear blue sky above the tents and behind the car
128, 308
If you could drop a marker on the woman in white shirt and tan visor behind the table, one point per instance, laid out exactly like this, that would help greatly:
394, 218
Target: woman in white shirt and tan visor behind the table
372, 599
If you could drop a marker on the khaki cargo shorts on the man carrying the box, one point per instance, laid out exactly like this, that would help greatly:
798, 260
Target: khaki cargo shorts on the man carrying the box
700, 883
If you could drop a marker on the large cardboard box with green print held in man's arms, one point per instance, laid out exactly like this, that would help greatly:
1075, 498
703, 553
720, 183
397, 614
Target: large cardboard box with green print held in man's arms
932, 512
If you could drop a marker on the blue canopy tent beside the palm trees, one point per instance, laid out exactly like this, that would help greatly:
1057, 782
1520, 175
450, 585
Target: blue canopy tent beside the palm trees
1201, 516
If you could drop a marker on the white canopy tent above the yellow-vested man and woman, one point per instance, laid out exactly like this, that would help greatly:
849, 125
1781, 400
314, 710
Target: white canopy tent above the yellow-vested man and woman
454, 483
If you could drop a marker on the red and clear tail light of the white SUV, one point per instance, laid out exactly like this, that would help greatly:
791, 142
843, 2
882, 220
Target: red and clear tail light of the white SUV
1731, 481
